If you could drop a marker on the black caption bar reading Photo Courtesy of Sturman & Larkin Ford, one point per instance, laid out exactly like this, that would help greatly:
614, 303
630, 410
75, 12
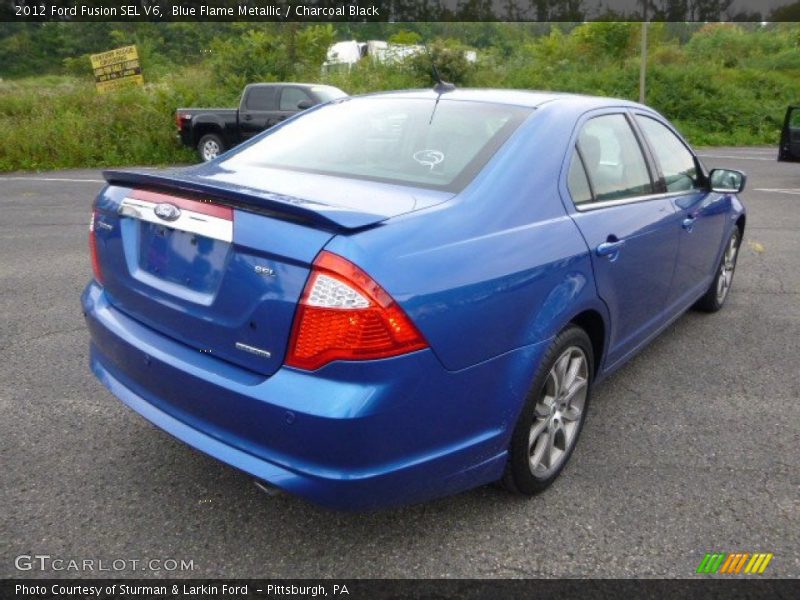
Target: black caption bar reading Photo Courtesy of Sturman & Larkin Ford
711, 588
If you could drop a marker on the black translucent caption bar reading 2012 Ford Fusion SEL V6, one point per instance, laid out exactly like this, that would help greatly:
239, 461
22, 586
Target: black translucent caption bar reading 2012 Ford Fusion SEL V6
399, 10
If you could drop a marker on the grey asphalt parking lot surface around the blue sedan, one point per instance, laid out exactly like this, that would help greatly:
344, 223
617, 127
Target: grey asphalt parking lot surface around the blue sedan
693, 447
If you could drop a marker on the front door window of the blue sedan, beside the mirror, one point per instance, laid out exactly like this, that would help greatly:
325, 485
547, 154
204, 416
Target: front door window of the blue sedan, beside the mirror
677, 163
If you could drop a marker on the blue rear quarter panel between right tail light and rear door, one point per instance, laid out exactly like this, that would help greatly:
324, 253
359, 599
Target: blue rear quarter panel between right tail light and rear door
500, 266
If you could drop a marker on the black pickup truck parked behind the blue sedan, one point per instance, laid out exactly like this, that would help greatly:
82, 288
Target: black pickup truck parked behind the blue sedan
214, 130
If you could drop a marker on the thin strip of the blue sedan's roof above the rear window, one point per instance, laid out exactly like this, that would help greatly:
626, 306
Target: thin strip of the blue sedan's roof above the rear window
526, 98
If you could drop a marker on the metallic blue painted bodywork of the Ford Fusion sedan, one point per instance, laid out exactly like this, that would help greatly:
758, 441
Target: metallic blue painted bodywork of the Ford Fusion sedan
489, 276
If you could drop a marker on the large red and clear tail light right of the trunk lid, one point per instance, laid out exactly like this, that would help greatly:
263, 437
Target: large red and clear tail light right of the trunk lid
344, 314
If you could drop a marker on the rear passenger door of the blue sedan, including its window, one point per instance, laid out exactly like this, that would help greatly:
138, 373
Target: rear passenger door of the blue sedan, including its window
629, 226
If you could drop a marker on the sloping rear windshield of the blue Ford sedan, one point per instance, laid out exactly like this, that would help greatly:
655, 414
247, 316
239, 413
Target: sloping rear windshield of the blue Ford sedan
405, 141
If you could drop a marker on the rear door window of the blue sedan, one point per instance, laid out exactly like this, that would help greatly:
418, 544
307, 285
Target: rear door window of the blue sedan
613, 159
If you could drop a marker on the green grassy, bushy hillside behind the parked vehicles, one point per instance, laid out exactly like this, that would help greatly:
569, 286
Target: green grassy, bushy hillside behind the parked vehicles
724, 86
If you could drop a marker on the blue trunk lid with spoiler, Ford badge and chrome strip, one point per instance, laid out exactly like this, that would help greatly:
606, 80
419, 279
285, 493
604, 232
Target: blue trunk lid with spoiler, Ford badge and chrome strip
213, 264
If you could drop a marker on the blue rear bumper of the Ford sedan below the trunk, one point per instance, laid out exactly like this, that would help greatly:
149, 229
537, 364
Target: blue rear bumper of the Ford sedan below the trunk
350, 436
